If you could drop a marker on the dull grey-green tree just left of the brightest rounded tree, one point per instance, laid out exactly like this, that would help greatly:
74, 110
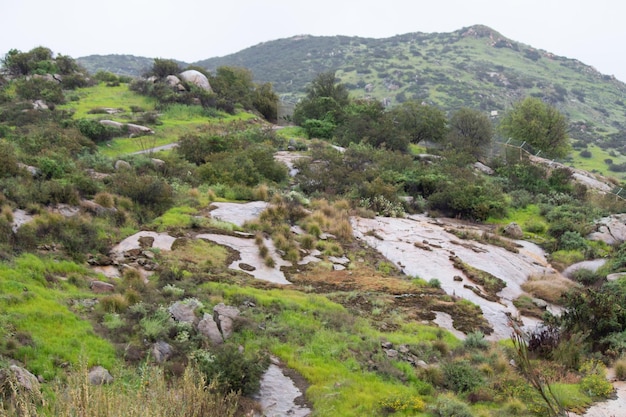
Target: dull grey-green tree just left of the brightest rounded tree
470, 132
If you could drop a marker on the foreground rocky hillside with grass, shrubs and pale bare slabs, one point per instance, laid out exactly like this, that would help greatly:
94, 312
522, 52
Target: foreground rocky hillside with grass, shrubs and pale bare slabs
184, 251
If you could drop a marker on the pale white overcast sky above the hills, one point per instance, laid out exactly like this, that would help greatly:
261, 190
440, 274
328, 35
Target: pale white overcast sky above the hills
590, 31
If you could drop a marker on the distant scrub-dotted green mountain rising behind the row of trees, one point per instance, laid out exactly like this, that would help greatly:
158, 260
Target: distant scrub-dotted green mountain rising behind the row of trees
473, 67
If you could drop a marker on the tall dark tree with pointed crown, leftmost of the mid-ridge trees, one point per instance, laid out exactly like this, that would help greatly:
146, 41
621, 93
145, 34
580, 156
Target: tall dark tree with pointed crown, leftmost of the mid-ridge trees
325, 100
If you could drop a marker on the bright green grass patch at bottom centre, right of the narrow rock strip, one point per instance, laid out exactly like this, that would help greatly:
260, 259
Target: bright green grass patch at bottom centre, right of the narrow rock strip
327, 345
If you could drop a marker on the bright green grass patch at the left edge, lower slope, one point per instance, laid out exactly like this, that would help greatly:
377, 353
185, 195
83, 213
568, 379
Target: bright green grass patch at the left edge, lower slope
35, 297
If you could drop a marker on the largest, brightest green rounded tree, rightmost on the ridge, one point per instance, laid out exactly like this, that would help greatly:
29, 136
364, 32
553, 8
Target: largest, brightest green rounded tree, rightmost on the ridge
539, 124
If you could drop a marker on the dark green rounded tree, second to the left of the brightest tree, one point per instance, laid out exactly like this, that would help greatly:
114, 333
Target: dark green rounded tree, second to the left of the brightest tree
419, 122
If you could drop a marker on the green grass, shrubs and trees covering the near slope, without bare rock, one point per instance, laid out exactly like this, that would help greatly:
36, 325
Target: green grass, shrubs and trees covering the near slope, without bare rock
356, 337
